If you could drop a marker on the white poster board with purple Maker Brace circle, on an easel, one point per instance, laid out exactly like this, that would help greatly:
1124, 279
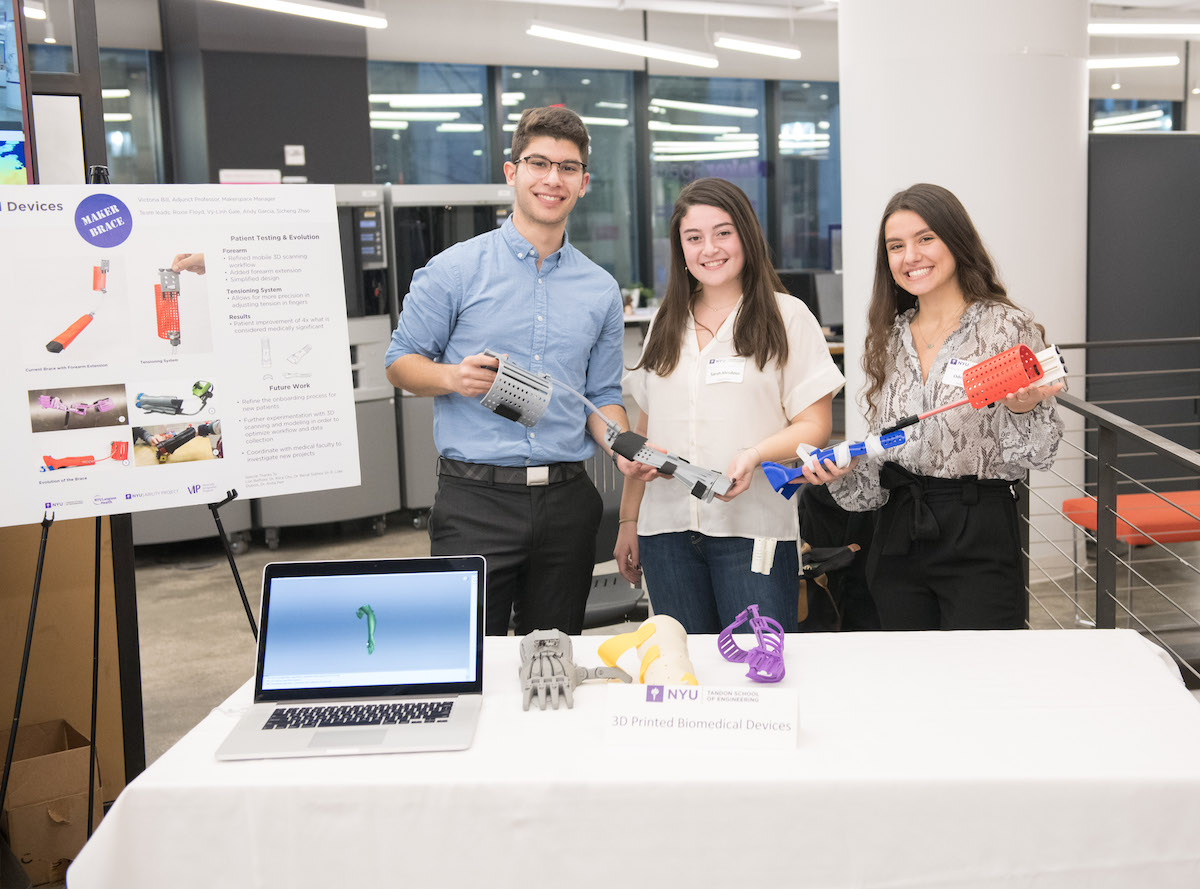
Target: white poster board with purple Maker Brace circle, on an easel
167, 344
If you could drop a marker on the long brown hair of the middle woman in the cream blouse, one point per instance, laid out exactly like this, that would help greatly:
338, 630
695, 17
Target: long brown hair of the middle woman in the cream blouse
759, 329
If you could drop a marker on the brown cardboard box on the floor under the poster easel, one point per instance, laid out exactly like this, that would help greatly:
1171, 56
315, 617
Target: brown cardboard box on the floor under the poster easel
46, 813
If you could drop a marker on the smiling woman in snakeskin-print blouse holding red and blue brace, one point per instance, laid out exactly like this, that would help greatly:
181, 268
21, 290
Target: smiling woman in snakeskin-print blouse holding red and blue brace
946, 552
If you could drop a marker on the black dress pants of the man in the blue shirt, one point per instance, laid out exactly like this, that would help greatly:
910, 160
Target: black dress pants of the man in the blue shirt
539, 543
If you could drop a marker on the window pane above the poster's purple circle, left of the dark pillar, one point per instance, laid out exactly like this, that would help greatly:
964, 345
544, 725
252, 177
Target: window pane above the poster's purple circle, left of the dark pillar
133, 117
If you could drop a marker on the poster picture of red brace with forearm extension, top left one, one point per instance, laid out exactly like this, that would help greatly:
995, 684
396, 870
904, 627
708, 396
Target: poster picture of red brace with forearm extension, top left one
82, 314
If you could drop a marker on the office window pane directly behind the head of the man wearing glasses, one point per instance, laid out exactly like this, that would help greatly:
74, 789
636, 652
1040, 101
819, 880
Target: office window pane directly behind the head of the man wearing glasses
604, 224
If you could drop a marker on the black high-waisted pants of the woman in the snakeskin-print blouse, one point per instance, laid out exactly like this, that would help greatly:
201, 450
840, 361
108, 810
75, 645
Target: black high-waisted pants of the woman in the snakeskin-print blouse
946, 555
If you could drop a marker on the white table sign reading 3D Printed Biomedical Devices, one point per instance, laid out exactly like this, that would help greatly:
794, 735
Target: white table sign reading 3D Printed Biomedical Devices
701, 717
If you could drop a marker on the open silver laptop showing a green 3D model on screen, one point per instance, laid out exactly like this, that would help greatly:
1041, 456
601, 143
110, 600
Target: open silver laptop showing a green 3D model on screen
365, 657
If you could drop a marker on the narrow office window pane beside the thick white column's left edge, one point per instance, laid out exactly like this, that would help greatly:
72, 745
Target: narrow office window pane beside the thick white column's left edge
809, 176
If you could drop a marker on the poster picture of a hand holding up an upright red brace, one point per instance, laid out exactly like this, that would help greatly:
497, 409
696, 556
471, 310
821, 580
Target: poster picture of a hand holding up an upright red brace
175, 295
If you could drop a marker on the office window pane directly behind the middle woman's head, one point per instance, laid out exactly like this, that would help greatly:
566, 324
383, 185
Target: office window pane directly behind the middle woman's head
703, 127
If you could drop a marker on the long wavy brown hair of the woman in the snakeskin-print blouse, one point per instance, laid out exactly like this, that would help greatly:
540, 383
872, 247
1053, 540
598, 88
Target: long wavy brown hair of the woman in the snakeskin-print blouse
975, 272
